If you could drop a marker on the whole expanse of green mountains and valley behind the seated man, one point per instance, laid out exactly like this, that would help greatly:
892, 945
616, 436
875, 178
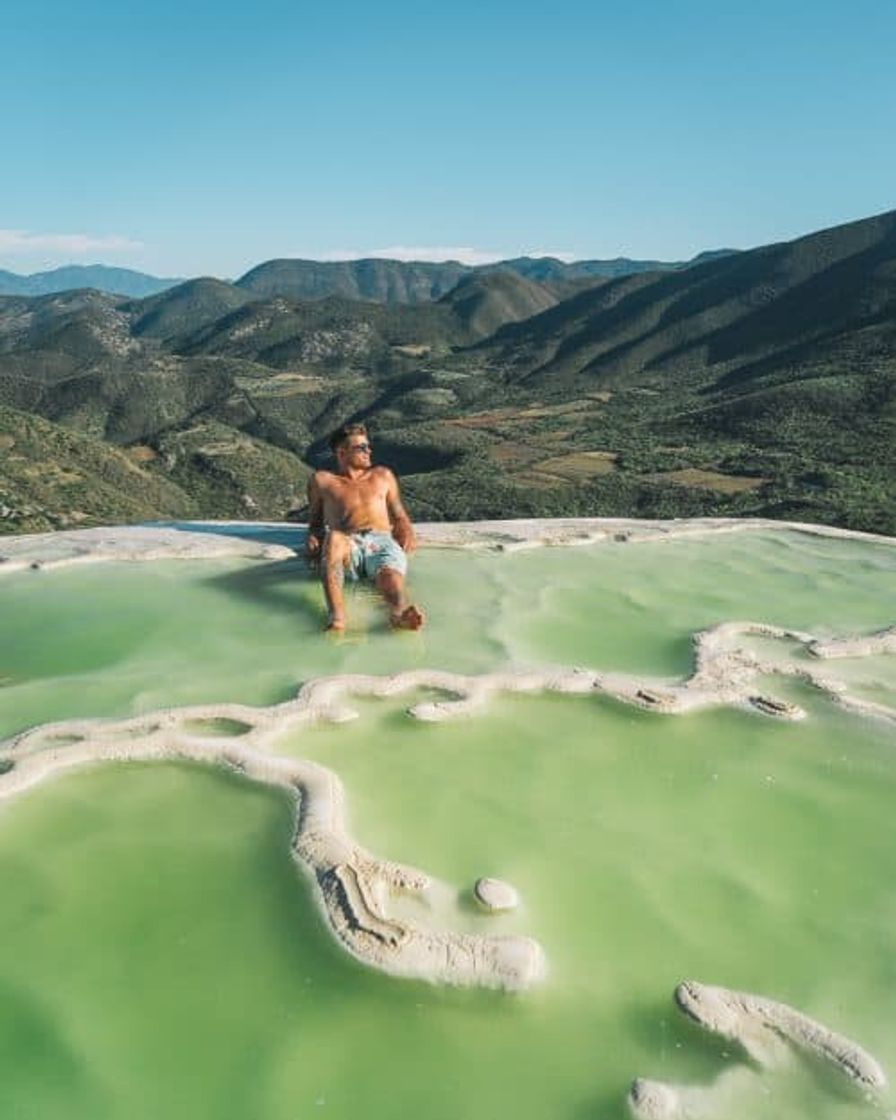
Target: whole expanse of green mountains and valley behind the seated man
760, 382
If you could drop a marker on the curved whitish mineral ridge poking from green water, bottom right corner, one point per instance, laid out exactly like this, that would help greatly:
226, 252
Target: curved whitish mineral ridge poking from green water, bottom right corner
766, 1030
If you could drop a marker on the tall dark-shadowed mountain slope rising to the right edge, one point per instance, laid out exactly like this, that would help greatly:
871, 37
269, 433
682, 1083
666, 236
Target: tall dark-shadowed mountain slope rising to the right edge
721, 318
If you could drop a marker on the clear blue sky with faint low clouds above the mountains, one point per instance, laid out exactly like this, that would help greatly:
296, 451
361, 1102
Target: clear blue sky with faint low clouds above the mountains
207, 138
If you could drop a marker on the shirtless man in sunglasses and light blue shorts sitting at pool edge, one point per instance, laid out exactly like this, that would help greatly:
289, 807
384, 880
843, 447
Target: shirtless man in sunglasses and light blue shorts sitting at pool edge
359, 525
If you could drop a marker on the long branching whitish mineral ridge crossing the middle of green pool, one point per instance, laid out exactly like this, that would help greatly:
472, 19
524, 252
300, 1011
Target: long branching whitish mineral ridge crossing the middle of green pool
353, 885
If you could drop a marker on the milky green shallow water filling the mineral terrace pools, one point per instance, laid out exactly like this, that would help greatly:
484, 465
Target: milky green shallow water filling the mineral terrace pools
163, 956
